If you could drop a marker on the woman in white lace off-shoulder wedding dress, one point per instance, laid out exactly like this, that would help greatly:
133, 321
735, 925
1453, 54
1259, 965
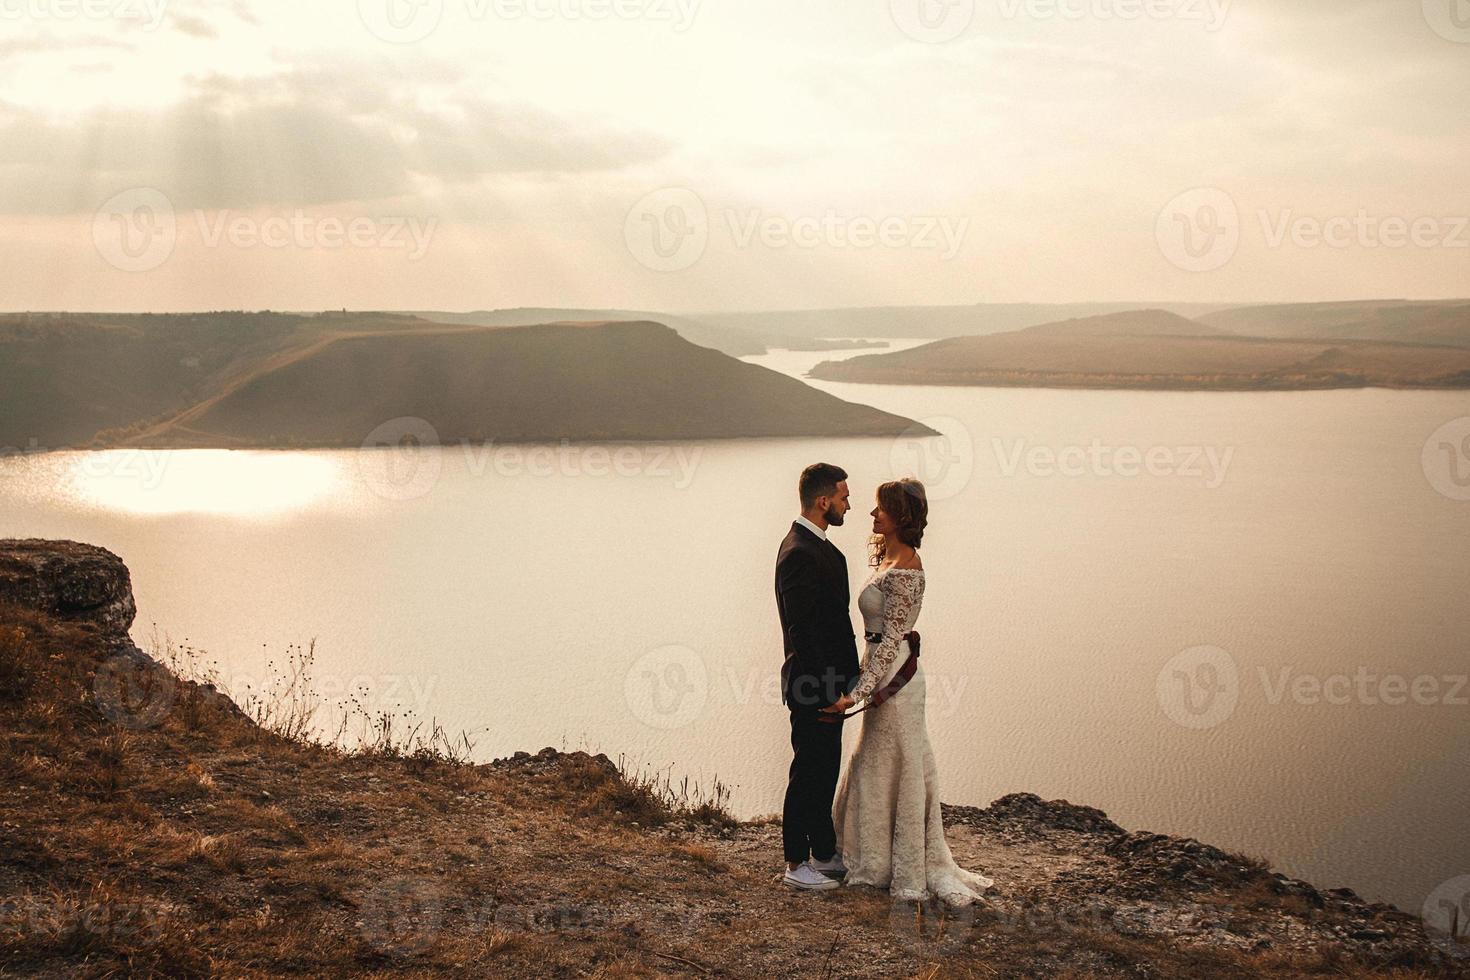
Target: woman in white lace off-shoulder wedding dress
887, 809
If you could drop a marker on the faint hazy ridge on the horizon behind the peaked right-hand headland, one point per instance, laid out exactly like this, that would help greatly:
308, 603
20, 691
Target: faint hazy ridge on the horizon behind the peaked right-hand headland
930, 321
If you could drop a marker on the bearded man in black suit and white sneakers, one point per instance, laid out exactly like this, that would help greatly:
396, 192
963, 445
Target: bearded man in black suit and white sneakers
821, 668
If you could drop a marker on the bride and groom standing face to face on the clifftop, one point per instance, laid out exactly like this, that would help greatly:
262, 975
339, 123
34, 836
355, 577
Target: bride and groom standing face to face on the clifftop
880, 824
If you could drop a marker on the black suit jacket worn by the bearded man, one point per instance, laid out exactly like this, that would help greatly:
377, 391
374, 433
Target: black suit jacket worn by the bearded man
812, 599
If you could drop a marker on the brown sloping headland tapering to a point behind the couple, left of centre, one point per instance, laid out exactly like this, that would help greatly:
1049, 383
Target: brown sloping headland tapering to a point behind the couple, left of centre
580, 381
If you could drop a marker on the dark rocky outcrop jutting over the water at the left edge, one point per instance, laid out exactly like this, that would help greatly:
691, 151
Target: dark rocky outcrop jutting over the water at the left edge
70, 581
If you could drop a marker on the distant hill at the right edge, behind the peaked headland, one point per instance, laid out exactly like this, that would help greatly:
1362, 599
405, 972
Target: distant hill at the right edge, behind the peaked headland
1441, 323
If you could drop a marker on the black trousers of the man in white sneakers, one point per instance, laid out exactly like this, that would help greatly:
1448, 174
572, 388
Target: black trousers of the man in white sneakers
808, 829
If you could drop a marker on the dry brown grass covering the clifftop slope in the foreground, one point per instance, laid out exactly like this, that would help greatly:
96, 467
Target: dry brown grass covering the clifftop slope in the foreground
205, 844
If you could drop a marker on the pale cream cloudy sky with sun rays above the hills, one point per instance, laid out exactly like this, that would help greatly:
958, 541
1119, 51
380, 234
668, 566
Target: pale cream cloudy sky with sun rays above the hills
677, 155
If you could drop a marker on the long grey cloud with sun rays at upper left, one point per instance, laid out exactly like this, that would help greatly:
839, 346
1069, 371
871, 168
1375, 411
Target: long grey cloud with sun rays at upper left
298, 139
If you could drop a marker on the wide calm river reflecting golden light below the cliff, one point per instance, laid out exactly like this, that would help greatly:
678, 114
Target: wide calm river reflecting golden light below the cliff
1241, 618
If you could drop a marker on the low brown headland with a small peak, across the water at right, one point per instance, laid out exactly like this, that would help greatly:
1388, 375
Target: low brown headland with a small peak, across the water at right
1156, 350
